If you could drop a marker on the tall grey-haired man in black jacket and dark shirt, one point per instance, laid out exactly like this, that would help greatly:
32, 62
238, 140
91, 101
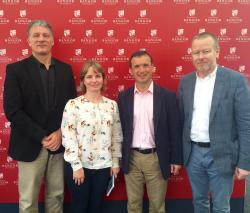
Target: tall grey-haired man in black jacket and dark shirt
36, 90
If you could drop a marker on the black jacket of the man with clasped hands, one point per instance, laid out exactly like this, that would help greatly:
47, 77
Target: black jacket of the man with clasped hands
24, 106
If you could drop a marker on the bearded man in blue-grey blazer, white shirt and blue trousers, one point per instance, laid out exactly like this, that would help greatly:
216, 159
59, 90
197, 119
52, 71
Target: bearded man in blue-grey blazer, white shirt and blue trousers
215, 109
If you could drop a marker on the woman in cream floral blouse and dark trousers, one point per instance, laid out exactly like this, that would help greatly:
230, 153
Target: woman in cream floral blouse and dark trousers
92, 136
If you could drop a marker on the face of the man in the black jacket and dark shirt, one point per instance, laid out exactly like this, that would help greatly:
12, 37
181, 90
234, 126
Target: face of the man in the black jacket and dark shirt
40, 40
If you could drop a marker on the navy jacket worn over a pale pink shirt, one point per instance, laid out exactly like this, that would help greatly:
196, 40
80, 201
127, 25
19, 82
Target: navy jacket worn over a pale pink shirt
167, 128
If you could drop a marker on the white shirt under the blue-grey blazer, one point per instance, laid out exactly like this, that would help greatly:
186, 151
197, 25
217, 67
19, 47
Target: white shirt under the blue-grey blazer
203, 95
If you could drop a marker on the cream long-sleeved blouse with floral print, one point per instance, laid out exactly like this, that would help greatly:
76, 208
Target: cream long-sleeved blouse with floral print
91, 133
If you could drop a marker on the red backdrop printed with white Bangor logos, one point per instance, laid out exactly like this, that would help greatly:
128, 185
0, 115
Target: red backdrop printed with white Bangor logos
109, 31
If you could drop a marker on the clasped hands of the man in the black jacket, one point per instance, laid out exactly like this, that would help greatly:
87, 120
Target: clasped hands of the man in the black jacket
53, 141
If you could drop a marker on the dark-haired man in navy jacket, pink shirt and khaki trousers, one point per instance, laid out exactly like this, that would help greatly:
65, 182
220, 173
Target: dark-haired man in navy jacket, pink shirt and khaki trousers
151, 148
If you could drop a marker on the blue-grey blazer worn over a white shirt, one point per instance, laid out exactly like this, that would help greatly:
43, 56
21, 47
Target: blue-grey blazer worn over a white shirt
229, 119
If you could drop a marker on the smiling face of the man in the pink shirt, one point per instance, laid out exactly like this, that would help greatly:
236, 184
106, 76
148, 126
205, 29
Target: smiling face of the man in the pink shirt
142, 69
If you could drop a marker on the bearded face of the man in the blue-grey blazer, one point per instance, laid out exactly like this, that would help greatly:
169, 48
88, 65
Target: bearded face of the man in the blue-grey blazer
204, 55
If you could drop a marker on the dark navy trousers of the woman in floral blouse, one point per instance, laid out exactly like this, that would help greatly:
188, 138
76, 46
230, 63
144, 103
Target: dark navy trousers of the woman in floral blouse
88, 197
